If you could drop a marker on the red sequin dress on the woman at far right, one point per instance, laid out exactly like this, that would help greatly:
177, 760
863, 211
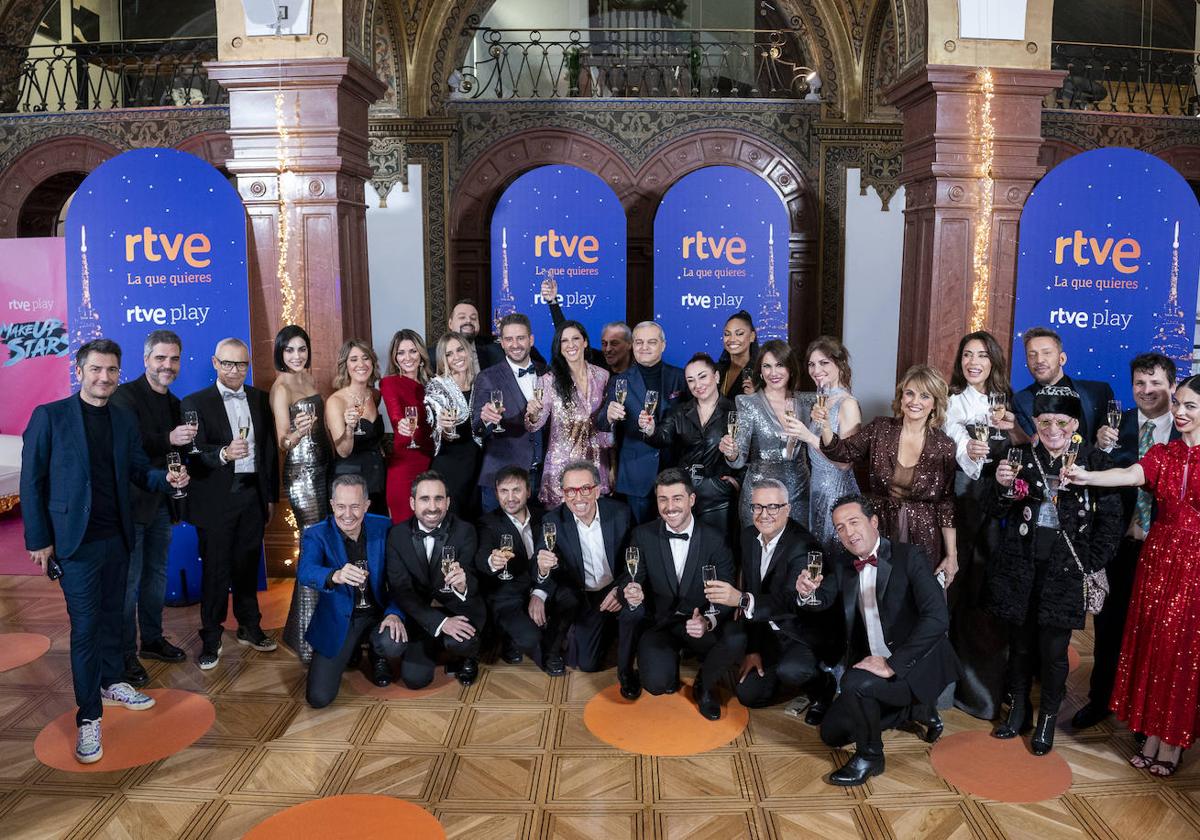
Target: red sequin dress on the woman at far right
1159, 679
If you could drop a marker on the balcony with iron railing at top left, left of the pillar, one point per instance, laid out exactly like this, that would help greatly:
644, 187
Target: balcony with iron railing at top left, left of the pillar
109, 75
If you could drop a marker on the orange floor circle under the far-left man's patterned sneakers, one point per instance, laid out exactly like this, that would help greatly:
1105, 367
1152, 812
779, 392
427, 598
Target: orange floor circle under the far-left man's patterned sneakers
131, 739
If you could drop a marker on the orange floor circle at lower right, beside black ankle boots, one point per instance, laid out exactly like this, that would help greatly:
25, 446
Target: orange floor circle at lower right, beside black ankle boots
1005, 771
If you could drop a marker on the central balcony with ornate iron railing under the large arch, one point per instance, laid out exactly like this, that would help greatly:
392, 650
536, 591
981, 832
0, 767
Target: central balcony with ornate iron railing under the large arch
507, 64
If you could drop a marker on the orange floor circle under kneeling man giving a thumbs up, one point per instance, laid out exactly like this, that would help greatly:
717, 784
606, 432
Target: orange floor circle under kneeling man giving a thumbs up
667, 725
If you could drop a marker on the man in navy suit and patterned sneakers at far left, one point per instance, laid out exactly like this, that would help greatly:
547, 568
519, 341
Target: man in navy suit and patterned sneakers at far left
81, 455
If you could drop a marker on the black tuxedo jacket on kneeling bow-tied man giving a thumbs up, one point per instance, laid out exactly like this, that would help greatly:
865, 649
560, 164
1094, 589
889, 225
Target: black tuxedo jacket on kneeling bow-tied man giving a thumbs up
670, 598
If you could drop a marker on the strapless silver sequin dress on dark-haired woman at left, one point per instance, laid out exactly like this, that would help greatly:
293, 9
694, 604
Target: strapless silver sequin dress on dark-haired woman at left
305, 481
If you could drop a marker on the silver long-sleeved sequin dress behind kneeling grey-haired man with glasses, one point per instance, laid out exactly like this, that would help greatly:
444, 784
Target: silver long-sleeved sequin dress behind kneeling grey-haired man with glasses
764, 452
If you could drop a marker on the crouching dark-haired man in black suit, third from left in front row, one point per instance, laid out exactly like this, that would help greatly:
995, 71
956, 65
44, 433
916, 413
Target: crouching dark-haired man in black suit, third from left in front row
505, 575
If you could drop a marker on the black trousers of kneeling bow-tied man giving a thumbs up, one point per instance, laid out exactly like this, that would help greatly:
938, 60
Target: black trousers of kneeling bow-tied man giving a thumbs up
659, 649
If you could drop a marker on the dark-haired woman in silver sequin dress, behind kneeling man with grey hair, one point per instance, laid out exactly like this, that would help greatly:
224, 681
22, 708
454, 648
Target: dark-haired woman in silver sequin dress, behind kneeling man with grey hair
770, 430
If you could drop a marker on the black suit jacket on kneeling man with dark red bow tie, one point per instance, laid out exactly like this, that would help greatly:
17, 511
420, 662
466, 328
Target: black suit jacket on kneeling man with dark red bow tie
913, 614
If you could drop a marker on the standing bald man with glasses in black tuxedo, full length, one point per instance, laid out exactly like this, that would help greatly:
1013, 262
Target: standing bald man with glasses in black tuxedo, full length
236, 484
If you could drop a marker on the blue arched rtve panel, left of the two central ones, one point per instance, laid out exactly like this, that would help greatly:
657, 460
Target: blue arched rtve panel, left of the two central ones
567, 224
